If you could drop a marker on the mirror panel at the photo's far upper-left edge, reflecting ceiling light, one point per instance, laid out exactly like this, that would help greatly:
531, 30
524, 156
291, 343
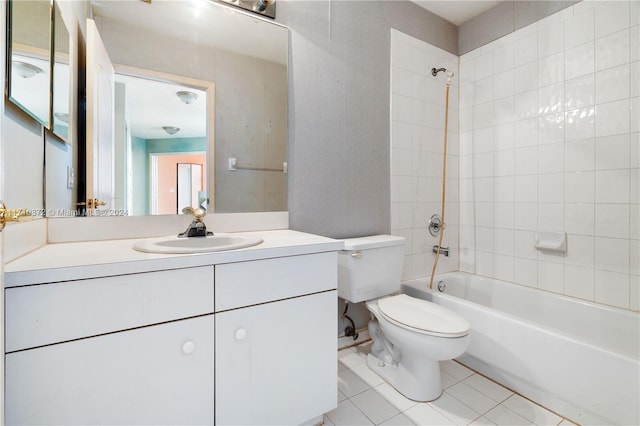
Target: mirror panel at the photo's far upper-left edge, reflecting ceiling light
29, 73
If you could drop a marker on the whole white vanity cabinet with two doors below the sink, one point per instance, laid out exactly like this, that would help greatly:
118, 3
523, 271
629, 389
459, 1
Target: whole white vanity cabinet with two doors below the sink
236, 338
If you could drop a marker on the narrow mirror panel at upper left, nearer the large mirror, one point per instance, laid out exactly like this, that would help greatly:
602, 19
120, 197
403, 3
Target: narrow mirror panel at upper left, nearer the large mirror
61, 76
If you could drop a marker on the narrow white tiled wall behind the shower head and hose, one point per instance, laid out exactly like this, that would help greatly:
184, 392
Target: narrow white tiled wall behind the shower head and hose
417, 133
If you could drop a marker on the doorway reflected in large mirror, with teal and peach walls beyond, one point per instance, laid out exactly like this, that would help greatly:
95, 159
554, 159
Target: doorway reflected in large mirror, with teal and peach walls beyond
160, 123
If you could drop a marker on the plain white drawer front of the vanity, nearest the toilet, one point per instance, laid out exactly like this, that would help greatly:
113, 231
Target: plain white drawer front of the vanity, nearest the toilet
250, 283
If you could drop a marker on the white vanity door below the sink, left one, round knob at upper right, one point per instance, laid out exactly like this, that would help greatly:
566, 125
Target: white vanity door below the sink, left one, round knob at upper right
155, 375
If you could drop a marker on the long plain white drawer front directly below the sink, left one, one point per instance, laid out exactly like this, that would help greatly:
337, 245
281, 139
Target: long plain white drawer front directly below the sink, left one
50, 313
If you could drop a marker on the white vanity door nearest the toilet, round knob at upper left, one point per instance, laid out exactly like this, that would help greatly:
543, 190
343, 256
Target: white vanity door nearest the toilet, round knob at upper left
276, 362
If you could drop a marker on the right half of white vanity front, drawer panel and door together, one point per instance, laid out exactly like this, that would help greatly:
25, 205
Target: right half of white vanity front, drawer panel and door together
276, 360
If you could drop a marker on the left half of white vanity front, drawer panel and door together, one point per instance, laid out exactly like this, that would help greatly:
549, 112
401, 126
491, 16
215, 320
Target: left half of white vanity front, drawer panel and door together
87, 351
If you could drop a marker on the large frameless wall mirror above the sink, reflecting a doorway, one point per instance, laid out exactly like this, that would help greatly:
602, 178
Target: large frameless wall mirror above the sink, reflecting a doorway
194, 83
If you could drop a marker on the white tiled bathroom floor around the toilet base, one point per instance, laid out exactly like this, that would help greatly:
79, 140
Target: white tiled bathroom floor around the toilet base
469, 399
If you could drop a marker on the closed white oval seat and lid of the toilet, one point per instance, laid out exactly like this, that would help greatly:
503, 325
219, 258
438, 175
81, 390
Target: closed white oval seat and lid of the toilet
422, 316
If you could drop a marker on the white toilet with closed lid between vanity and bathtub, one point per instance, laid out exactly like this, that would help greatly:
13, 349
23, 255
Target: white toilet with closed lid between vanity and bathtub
410, 336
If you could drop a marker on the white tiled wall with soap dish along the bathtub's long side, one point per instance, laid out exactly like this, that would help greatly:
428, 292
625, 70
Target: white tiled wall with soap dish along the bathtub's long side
549, 122
